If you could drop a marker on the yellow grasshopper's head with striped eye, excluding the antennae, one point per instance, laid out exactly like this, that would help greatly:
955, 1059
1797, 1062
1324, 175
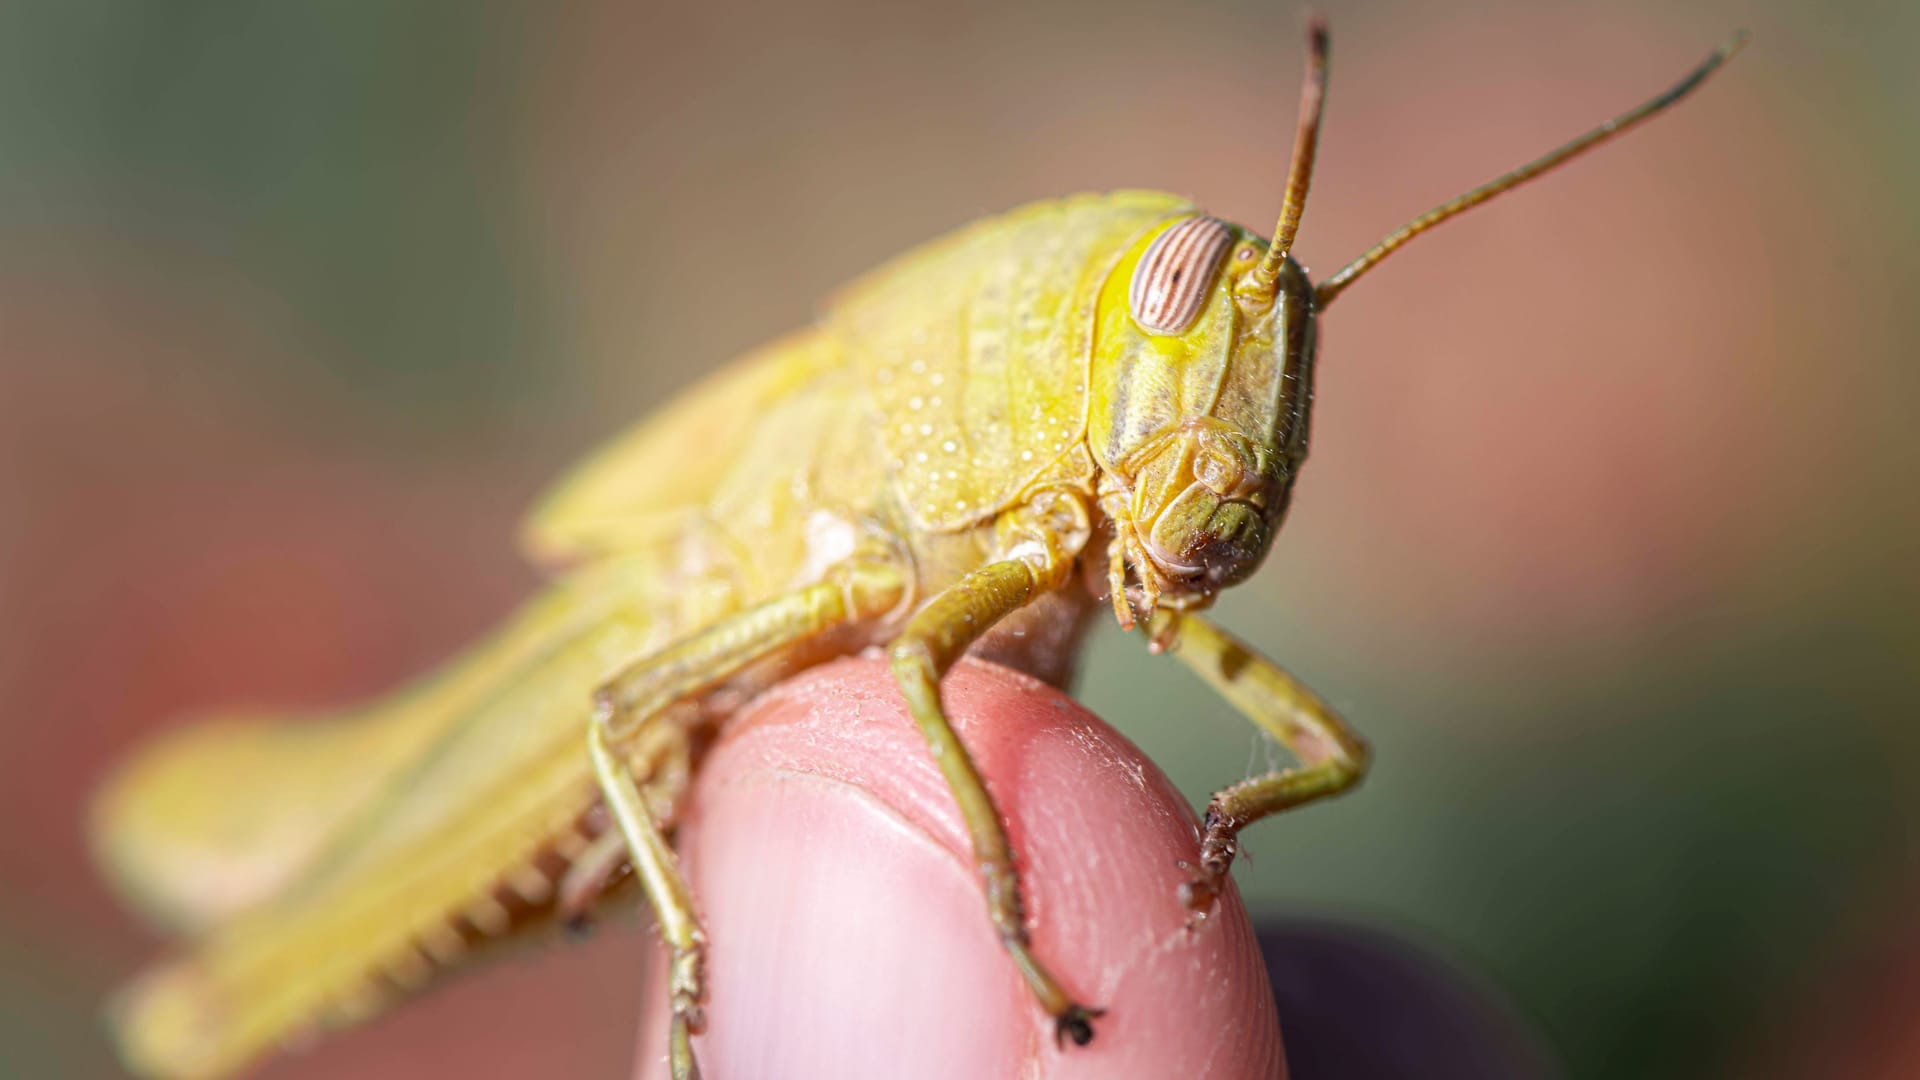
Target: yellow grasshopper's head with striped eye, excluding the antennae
1199, 416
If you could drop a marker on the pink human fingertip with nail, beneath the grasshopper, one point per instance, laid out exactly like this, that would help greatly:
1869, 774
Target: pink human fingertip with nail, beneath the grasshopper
846, 921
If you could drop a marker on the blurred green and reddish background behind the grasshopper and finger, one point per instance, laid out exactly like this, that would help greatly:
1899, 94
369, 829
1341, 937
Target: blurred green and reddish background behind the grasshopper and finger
1610, 539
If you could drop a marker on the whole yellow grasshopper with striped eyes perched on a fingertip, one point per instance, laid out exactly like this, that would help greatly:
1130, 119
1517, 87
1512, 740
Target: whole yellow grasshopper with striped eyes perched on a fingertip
1082, 401
